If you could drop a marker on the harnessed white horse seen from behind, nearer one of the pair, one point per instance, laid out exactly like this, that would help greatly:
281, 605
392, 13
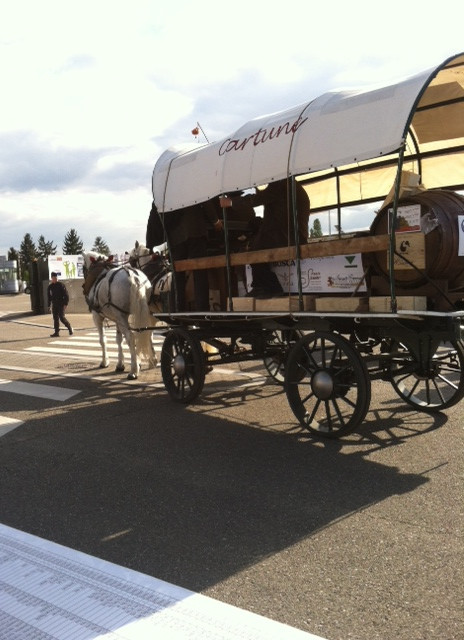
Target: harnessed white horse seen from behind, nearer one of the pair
120, 294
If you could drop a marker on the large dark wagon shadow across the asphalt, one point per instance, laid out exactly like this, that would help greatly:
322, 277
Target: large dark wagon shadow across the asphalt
129, 476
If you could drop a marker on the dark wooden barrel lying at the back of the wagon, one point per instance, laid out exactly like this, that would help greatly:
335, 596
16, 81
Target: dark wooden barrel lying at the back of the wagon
439, 211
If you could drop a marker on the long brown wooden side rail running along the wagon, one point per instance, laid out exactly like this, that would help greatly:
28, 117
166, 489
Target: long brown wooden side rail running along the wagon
364, 244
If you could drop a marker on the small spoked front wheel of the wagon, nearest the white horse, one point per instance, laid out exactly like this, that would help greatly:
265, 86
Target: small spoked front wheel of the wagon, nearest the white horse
183, 365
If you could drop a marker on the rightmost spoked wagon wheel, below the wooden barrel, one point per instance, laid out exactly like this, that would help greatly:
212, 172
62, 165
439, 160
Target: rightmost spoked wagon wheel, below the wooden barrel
434, 384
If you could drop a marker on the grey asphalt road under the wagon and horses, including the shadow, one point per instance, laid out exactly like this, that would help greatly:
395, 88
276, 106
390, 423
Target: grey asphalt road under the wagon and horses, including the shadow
359, 538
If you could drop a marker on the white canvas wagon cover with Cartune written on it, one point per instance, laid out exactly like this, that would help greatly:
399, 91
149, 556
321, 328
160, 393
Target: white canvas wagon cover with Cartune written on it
343, 146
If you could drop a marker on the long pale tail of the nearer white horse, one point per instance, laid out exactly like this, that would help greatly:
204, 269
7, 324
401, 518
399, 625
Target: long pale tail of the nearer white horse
140, 316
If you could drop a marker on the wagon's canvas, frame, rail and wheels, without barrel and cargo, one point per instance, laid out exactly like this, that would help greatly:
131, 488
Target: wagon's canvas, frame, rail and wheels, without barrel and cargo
326, 360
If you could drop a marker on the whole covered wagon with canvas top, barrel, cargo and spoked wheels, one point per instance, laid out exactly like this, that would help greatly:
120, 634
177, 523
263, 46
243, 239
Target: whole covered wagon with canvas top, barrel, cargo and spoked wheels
391, 307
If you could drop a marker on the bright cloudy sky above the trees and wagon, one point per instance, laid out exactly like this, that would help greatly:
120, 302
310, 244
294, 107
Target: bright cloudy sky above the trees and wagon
93, 91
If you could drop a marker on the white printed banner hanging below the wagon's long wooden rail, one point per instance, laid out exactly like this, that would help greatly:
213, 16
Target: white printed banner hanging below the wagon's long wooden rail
332, 274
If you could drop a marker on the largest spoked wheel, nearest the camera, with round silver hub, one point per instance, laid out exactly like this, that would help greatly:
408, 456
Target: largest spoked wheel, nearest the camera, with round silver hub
327, 384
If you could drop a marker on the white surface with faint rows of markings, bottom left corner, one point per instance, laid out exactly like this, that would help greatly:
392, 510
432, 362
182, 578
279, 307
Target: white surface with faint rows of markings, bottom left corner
51, 592
